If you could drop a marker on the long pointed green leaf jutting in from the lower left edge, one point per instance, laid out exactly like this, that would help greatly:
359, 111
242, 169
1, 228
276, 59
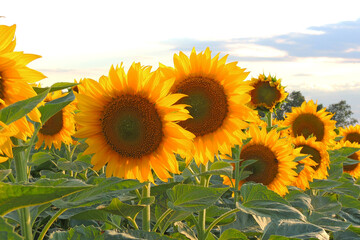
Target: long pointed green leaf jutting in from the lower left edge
15, 196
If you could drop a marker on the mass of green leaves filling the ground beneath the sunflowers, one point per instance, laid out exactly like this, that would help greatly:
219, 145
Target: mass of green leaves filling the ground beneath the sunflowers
69, 200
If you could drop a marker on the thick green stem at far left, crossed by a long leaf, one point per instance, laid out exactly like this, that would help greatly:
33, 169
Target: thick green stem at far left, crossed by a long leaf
21, 169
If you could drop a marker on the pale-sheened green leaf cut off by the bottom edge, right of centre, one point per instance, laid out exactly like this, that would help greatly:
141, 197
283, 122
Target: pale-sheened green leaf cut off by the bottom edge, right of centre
294, 229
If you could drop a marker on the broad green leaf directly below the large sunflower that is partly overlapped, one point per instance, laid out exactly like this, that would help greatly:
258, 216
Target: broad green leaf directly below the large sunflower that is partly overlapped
193, 198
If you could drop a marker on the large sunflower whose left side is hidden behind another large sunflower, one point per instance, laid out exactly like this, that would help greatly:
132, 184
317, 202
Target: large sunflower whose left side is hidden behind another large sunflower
217, 99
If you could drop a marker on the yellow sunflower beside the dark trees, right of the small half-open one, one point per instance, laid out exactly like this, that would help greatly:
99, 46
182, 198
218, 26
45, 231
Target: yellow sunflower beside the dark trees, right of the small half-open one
307, 121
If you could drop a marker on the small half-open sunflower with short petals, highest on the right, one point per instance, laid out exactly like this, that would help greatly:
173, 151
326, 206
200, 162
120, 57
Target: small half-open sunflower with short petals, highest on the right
267, 93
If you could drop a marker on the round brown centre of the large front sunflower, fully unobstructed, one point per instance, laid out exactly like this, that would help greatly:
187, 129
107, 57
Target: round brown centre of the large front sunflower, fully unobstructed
132, 126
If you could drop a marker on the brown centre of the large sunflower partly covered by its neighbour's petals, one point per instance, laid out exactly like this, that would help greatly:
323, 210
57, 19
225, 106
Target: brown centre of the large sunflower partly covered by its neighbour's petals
208, 101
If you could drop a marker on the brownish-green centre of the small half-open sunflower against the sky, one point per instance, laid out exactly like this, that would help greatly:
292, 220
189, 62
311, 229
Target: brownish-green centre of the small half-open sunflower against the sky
263, 93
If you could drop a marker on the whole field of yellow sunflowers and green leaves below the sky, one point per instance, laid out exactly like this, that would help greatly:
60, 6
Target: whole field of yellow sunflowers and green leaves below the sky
189, 151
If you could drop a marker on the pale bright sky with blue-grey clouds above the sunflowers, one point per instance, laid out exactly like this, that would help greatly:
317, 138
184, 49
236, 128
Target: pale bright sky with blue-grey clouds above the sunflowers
313, 46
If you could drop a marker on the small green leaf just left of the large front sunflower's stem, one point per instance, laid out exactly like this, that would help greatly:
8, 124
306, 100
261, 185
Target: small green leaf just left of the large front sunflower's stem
122, 209
